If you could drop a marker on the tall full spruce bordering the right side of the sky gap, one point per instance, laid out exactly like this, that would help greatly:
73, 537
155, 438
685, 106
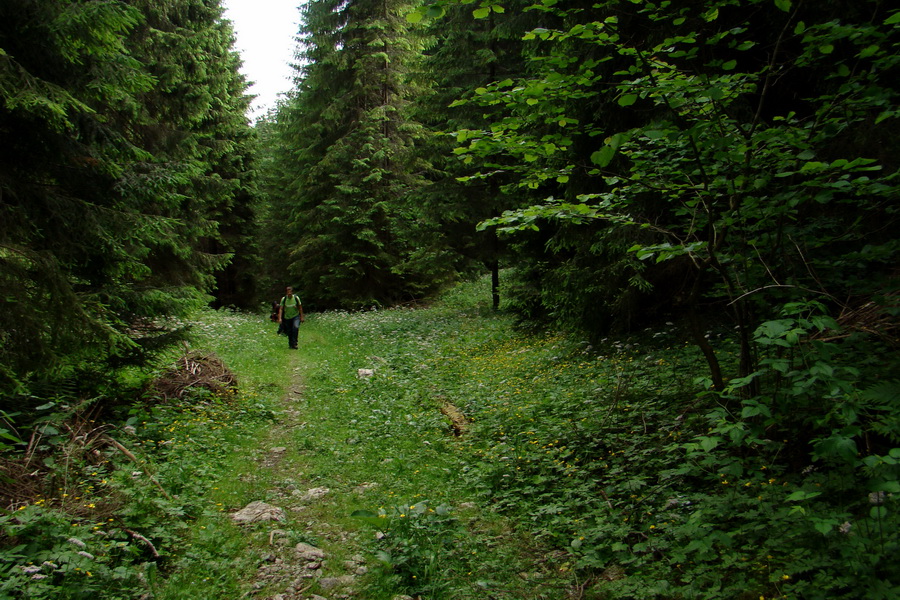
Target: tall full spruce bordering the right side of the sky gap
348, 160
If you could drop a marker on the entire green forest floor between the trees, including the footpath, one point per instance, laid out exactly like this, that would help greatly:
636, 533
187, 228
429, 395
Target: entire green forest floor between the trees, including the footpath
577, 471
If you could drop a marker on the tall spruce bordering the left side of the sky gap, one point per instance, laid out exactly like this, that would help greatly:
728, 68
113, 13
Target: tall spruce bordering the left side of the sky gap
195, 125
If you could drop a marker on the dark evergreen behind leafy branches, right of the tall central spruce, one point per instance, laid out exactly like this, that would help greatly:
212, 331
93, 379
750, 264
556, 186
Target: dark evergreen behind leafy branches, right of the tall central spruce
463, 54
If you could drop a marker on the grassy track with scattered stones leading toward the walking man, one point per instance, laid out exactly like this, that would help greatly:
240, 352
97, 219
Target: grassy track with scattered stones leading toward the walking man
369, 469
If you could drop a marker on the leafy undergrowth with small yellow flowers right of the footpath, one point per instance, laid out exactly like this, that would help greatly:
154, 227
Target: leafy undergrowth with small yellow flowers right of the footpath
631, 477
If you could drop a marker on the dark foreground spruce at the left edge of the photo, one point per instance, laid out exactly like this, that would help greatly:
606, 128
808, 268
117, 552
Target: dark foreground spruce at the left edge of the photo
69, 234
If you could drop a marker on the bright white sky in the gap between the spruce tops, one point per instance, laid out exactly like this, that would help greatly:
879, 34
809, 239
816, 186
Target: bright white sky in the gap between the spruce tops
265, 31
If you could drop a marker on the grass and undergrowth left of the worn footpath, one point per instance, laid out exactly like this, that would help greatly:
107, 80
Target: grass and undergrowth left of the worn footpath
125, 488
